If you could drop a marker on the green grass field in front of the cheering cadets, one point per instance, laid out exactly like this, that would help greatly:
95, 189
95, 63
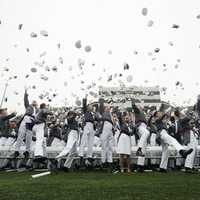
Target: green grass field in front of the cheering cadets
96, 186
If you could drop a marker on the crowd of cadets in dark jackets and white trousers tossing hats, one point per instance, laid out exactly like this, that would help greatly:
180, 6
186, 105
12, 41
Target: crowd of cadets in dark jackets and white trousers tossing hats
99, 125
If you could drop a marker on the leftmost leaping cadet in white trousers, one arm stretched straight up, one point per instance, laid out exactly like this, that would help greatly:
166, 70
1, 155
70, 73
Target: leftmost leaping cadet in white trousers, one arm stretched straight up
25, 128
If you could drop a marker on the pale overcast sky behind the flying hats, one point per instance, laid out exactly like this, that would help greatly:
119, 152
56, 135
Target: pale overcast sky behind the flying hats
114, 29
